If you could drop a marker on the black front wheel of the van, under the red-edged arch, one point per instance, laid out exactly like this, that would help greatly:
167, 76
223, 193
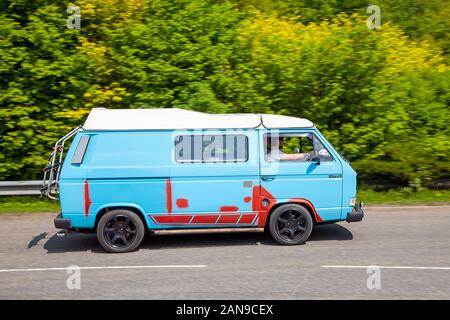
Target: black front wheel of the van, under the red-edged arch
290, 224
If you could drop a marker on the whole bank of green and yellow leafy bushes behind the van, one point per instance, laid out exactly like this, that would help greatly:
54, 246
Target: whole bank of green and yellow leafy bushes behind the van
380, 96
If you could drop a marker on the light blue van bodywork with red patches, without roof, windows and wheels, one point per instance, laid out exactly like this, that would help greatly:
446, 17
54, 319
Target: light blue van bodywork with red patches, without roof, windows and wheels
138, 169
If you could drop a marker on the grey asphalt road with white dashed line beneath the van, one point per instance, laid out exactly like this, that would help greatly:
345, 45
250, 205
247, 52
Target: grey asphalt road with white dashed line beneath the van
410, 245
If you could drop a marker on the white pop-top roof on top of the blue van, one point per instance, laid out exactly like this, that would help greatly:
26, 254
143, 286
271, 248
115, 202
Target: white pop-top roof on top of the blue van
160, 119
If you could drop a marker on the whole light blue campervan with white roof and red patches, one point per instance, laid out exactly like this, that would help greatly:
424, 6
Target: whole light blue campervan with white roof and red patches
136, 170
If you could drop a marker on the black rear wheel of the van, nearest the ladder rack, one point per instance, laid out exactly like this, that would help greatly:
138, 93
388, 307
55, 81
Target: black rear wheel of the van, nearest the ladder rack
120, 231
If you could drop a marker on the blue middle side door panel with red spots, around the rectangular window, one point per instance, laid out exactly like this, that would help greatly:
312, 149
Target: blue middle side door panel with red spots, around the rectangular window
220, 187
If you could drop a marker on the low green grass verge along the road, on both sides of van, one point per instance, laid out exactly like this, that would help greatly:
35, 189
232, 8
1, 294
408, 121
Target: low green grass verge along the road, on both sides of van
27, 204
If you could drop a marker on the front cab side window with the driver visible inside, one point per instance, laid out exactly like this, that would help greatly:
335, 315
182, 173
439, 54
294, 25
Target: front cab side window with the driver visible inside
301, 147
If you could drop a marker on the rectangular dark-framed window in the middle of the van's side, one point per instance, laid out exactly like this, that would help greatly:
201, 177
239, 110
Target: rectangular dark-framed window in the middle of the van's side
211, 148
